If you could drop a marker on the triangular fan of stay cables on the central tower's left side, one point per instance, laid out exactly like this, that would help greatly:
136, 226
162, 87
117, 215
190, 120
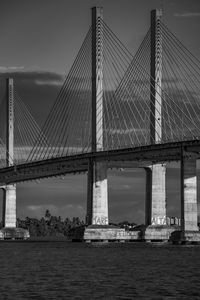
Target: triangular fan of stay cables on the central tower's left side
68, 126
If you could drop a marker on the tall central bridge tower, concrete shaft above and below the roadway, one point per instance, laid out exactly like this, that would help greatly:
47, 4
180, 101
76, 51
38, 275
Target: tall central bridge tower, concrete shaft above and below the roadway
97, 205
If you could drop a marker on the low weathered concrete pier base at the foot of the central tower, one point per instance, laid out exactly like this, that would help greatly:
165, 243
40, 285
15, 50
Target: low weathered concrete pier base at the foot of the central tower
102, 233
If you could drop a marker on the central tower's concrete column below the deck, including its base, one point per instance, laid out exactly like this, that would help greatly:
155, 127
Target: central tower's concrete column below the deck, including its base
98, 228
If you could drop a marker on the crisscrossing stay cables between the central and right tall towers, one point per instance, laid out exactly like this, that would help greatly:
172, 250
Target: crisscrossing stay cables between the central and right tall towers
125, 117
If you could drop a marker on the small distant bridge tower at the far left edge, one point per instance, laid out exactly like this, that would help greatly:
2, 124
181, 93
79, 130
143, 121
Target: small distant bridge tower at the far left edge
9, 191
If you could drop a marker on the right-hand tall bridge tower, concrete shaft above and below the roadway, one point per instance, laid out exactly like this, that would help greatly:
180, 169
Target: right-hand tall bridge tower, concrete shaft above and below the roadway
156, 174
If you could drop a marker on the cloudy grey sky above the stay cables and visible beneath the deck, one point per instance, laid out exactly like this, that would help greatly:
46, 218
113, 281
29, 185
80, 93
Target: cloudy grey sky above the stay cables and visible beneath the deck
39, 42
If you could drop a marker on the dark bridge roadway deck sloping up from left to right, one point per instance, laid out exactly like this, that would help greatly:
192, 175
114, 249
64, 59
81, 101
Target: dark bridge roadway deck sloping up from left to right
137, 157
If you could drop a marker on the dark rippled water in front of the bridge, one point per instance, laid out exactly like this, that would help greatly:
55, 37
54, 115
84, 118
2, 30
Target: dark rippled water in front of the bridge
63, 270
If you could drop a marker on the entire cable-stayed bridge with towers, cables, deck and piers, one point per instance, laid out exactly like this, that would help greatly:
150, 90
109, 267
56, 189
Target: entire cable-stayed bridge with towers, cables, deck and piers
114, 109
